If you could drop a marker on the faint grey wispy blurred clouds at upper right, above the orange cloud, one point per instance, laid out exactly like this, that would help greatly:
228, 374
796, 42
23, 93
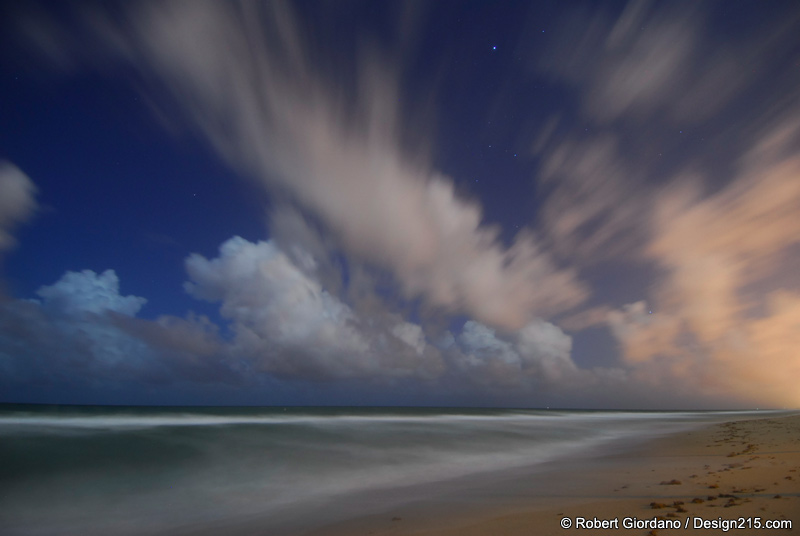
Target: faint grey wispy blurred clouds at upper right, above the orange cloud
663, 93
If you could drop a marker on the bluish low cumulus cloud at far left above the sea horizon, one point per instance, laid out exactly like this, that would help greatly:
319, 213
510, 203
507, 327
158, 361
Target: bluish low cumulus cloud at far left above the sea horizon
83, 335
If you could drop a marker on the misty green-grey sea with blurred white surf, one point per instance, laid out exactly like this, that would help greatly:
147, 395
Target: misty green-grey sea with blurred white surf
279, 470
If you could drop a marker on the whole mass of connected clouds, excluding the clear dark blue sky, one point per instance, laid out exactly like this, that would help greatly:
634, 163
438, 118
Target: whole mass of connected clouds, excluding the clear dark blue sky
667, 212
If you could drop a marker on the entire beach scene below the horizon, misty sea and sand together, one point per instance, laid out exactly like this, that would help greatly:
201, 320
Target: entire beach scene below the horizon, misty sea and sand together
353, 471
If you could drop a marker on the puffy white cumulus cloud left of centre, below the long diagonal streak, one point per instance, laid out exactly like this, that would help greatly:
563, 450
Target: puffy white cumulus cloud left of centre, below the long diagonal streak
290, 326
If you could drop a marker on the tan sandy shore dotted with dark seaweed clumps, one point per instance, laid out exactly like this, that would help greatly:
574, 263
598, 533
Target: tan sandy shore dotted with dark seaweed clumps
740, 470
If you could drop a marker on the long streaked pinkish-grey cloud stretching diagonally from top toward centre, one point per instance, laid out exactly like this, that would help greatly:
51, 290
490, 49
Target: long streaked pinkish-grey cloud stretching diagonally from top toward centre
250, 79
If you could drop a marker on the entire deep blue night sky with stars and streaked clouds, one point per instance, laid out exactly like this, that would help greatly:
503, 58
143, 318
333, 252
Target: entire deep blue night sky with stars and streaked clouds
456, 203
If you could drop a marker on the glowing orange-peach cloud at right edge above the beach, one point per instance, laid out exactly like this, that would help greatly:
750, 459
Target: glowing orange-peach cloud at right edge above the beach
718, 322
